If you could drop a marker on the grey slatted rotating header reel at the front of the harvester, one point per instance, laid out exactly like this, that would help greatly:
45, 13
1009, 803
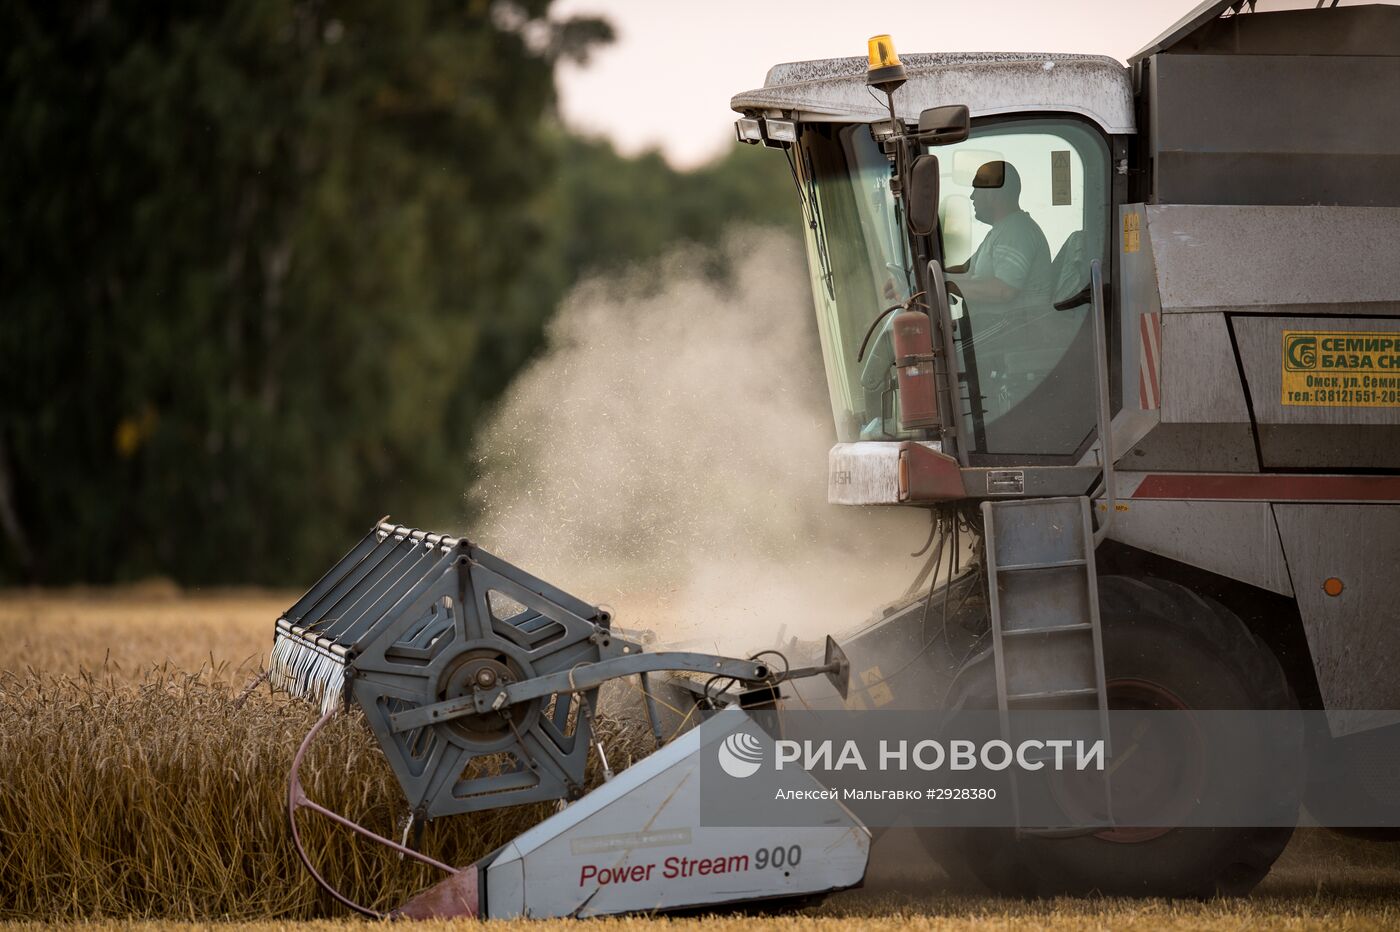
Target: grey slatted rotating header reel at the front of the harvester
408, 621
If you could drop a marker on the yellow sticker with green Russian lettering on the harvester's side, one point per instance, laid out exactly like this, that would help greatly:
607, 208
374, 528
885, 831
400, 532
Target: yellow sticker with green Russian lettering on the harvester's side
1342, 369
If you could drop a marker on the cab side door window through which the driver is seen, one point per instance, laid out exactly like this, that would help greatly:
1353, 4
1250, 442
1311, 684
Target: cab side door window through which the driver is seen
1024, 209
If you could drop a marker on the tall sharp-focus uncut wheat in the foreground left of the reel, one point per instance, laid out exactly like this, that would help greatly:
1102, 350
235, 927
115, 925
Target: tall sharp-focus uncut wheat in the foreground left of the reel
163, 798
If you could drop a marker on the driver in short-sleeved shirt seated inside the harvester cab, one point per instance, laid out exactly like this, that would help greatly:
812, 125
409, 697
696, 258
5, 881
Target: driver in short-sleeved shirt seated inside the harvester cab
1011, 268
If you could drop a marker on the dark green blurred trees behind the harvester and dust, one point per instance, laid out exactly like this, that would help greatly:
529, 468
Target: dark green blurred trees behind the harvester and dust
267, 265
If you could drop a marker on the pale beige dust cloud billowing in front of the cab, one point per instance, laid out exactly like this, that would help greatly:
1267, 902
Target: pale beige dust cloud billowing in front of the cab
667, 457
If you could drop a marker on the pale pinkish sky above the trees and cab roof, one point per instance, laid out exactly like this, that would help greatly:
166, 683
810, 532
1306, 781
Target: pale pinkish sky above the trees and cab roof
667, 82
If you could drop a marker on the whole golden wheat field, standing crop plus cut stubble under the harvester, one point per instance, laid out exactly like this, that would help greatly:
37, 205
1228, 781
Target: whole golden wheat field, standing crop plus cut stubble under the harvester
142, 786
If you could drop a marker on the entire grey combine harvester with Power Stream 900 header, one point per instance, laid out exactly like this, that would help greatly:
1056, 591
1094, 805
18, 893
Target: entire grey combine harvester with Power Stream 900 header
1157, 388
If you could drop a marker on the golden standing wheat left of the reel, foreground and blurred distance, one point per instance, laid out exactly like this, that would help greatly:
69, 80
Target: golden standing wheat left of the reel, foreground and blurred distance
148, 791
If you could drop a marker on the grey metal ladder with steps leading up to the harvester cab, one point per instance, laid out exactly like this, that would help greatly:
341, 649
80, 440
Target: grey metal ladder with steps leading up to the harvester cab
1042, 581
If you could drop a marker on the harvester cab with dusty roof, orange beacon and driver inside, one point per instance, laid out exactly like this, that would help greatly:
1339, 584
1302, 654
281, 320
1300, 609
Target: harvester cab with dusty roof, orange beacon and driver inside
988, 230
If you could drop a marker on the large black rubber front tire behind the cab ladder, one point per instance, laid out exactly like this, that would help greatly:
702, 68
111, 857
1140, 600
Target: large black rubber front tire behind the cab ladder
1158, 632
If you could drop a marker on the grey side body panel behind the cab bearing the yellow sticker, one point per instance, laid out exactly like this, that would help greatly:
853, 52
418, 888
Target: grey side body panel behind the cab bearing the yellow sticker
1247, 332
